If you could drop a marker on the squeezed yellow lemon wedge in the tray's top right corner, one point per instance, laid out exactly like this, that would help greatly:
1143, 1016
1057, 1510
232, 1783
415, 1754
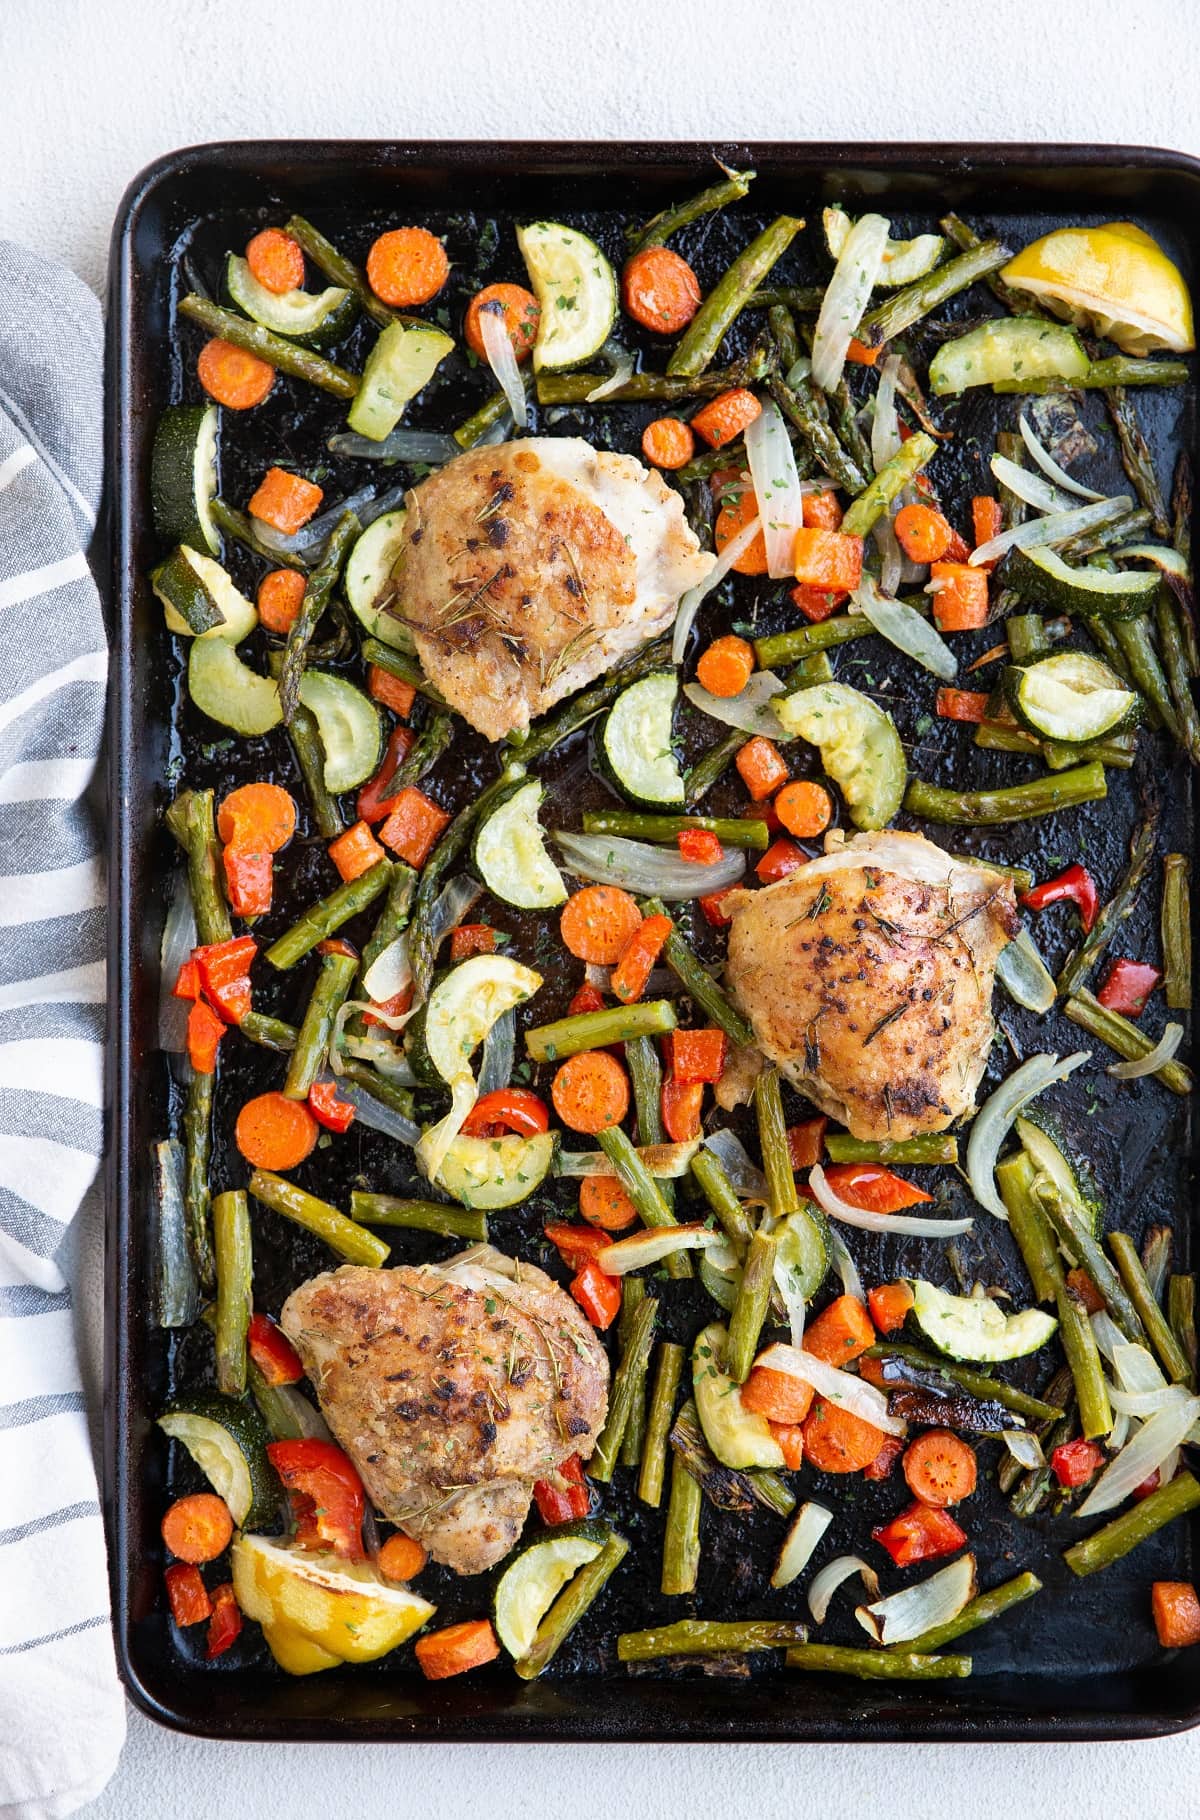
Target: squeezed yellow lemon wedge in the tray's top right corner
1115, 281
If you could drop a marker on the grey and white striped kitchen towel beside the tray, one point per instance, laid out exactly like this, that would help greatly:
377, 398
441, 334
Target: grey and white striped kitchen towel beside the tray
61, 1706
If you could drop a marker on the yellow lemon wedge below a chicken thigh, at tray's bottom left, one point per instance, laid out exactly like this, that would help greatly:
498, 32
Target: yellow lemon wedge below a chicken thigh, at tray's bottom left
318, 1610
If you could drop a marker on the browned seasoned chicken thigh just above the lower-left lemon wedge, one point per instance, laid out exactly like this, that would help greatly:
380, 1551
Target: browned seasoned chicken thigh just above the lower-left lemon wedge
453, 1388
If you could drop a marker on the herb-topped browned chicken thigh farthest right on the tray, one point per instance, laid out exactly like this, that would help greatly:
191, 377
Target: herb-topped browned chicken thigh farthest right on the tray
868, 976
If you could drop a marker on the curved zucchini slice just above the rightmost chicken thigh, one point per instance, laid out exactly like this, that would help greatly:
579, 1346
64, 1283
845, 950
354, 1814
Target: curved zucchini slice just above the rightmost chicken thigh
860, 747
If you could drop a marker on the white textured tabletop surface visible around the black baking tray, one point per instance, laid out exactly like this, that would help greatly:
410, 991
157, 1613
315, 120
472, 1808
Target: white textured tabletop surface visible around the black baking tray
94, 90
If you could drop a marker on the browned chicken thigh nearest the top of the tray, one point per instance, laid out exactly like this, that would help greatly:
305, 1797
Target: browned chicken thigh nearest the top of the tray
534, 567
